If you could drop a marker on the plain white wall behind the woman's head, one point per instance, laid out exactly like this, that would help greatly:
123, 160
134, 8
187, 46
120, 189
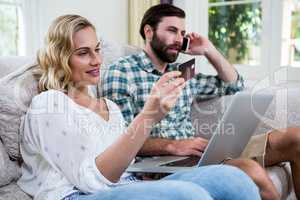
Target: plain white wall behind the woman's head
109, 17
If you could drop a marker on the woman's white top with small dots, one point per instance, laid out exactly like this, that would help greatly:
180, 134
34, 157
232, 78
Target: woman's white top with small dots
60, 142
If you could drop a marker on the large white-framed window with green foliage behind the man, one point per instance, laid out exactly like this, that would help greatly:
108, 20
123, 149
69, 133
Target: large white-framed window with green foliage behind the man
268, 30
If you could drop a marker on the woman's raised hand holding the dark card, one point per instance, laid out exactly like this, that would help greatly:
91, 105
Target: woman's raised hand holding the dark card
163, 96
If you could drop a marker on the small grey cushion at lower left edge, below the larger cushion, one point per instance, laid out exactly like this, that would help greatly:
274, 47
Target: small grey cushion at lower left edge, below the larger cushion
9, 170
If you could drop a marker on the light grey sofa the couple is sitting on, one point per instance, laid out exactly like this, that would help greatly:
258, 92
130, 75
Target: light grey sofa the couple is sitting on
18, 86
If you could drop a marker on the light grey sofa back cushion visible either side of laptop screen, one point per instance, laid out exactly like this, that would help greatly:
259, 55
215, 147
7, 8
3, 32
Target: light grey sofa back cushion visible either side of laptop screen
283, 111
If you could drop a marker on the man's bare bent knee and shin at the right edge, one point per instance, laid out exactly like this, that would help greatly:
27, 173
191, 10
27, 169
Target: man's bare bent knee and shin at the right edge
284, 146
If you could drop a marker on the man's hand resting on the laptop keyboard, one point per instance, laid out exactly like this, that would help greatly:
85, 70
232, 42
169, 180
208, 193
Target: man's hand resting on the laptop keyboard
188, 147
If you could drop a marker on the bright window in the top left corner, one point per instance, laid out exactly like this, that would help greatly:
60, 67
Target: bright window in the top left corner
11, 28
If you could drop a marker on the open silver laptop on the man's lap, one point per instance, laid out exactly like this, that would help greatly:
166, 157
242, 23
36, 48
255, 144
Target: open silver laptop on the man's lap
231, 136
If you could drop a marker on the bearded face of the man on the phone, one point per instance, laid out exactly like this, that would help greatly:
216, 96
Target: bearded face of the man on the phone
167, 38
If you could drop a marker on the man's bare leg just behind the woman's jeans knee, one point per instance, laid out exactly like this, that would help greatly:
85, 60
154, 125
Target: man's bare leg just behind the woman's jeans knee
259, 176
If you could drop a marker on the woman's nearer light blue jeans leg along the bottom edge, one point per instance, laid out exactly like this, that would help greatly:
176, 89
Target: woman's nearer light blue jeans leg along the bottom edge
152, 190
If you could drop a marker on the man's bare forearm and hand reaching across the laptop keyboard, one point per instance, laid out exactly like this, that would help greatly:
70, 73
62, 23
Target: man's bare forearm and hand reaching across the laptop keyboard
160, 146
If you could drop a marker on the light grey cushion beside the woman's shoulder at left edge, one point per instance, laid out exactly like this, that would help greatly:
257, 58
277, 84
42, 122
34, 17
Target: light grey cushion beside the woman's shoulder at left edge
16, 92
